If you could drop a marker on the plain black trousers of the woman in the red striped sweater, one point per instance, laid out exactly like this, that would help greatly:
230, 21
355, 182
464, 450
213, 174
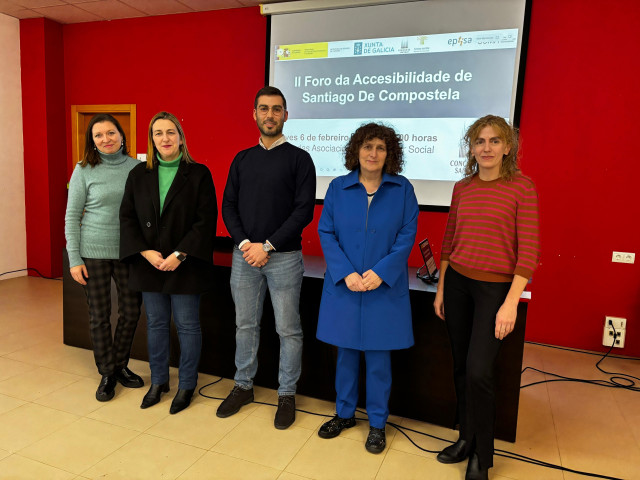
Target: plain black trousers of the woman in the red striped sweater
470, 308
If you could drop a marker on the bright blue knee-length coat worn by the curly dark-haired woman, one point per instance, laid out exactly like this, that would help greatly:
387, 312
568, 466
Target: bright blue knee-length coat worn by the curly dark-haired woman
356, 240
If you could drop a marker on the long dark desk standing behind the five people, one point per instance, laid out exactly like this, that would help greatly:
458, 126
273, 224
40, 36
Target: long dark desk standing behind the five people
422, 375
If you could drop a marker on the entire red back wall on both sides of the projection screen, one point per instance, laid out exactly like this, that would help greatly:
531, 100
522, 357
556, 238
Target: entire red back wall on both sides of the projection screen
578, 125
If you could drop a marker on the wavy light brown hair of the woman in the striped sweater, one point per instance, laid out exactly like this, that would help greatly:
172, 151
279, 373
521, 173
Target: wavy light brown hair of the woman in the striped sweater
509, 135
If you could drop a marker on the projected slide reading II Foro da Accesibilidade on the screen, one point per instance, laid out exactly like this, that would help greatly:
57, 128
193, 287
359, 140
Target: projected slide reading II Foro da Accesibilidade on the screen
429, 88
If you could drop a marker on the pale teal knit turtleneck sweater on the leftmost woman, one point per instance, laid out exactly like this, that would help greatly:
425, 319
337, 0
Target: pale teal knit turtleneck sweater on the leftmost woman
98, 192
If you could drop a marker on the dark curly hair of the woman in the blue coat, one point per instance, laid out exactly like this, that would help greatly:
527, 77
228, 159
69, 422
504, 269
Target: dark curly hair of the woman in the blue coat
395, 158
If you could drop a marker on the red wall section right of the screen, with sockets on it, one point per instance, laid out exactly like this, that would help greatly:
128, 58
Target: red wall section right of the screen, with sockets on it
579, 127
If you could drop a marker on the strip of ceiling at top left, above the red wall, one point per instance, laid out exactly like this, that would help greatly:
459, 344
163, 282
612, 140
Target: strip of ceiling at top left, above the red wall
77, 11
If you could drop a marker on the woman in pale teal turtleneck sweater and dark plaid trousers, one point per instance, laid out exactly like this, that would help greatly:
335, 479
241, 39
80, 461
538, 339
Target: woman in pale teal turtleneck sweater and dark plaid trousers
92, 230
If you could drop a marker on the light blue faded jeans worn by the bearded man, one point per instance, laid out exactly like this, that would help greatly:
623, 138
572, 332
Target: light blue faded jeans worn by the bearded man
283, 275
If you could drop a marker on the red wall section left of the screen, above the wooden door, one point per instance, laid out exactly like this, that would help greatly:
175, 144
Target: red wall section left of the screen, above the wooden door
205, 68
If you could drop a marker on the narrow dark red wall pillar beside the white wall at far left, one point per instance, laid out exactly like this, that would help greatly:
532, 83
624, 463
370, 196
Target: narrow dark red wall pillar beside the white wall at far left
44, 142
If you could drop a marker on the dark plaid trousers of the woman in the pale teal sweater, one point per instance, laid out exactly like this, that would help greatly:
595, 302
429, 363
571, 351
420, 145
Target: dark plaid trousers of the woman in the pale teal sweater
111, 353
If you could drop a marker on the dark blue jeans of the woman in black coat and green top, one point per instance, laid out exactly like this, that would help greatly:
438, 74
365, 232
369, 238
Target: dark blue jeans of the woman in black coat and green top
186, 316
